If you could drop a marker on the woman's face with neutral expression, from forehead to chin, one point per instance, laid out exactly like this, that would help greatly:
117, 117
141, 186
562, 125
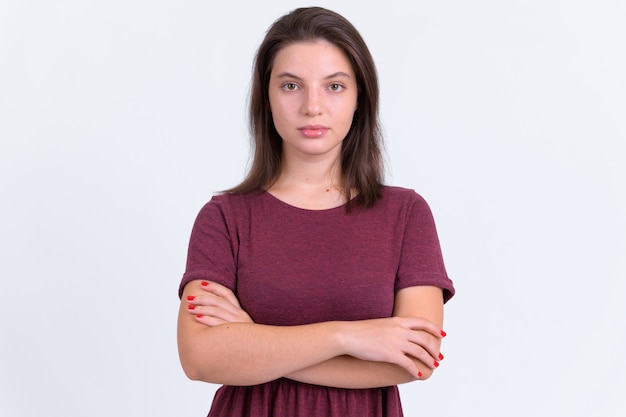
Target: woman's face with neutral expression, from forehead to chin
313, 97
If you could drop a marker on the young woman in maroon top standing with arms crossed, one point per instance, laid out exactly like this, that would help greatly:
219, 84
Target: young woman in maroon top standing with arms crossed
311, 289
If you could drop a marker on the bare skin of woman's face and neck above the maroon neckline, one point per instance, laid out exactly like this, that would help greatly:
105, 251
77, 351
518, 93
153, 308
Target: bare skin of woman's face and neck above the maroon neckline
311, 84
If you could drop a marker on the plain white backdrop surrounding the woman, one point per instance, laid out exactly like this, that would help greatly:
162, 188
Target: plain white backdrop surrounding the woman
119, 119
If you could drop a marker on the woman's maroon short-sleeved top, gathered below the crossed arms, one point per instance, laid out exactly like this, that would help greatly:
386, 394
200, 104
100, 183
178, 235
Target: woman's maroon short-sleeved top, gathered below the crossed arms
291, 266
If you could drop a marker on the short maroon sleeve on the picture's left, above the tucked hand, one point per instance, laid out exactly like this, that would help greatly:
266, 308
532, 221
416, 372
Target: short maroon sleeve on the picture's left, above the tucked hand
212, 250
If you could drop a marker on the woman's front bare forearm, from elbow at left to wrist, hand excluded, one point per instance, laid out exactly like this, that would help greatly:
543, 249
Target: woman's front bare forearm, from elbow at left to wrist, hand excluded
248, 353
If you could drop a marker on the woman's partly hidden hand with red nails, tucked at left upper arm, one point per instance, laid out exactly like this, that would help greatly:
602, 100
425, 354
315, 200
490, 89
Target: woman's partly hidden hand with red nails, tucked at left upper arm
216, 305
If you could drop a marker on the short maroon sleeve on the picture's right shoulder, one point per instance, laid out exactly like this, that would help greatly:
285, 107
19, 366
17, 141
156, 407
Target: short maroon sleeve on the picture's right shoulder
421, 261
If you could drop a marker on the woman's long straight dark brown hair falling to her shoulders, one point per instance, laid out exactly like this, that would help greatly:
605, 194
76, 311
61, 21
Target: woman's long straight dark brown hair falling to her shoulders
361, 157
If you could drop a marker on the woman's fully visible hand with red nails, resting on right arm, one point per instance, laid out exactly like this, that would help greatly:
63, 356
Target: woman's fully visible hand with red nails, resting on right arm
395, 340
